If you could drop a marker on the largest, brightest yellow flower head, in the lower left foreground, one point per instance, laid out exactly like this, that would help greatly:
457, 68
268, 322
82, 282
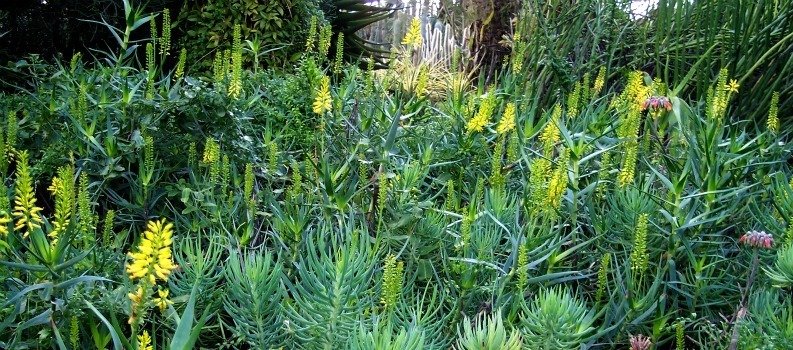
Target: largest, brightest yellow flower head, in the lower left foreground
152, 260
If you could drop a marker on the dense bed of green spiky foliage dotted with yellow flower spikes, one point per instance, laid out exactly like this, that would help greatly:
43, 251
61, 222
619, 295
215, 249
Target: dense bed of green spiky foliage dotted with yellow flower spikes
582, 196
